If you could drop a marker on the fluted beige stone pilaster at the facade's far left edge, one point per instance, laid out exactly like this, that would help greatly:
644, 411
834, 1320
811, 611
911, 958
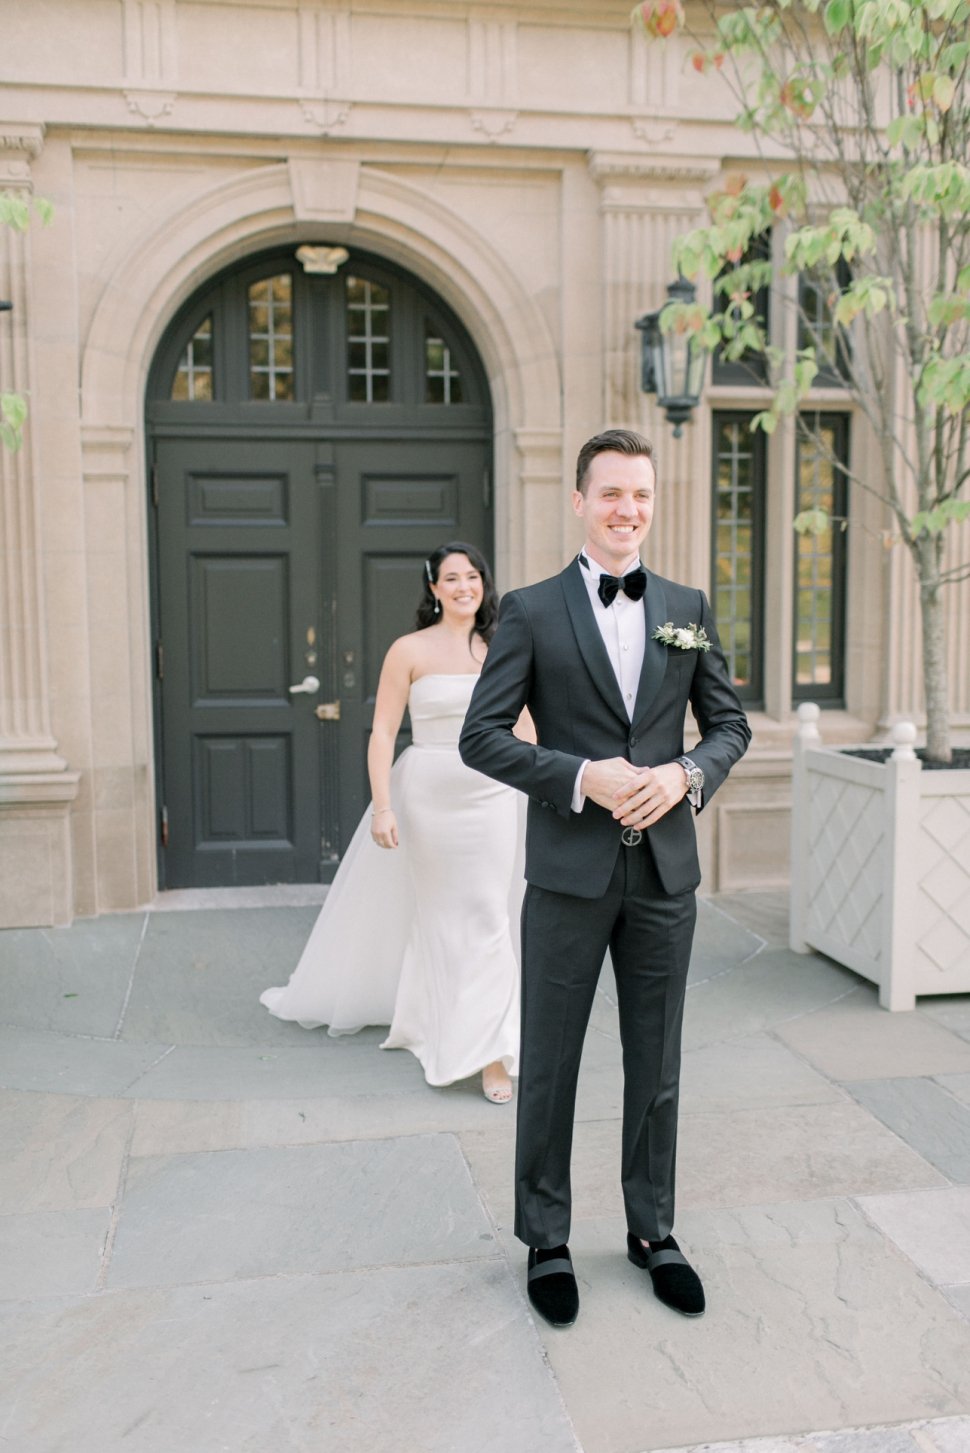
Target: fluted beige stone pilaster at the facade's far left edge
36, 785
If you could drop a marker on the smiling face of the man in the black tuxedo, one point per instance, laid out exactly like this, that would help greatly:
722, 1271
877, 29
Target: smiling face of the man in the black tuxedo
616, 508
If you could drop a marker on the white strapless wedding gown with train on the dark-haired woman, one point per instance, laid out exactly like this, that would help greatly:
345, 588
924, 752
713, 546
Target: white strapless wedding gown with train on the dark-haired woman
425, 938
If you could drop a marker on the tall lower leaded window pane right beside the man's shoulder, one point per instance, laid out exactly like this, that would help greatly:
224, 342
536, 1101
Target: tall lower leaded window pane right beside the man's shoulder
738, 470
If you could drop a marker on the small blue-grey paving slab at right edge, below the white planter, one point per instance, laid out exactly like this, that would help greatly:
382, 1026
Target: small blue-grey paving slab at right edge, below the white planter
924, 1115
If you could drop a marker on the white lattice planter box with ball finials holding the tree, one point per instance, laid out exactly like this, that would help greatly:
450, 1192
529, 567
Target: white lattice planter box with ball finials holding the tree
881, 865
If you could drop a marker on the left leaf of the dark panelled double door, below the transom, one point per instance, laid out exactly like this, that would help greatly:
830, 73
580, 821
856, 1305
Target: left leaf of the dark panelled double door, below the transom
239, 591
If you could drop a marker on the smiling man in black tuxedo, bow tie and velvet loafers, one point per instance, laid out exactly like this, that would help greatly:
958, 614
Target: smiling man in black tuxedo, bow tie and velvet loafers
611, 857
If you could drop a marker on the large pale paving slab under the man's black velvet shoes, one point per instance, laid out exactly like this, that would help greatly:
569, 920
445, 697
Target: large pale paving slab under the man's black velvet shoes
812, 1322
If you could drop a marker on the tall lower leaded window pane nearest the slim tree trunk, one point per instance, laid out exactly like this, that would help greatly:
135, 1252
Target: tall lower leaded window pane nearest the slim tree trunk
818, 655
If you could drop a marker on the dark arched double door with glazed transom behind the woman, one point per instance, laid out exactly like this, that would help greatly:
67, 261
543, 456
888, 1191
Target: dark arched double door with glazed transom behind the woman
317, 424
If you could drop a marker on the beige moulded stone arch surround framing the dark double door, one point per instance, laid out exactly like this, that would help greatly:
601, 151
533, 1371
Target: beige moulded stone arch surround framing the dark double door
278, 204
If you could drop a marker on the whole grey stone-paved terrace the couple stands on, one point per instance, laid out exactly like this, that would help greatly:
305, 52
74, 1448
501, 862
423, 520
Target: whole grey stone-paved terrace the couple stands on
230, 1234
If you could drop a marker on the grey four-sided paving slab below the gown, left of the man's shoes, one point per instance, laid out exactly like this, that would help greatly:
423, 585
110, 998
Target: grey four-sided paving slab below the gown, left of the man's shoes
230, 1215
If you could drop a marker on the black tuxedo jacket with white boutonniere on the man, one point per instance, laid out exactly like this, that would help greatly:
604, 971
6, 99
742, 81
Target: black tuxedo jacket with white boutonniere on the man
548, 655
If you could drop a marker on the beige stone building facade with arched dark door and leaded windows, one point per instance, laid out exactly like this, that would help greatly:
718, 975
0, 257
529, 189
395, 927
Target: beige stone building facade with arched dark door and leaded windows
235, 451
